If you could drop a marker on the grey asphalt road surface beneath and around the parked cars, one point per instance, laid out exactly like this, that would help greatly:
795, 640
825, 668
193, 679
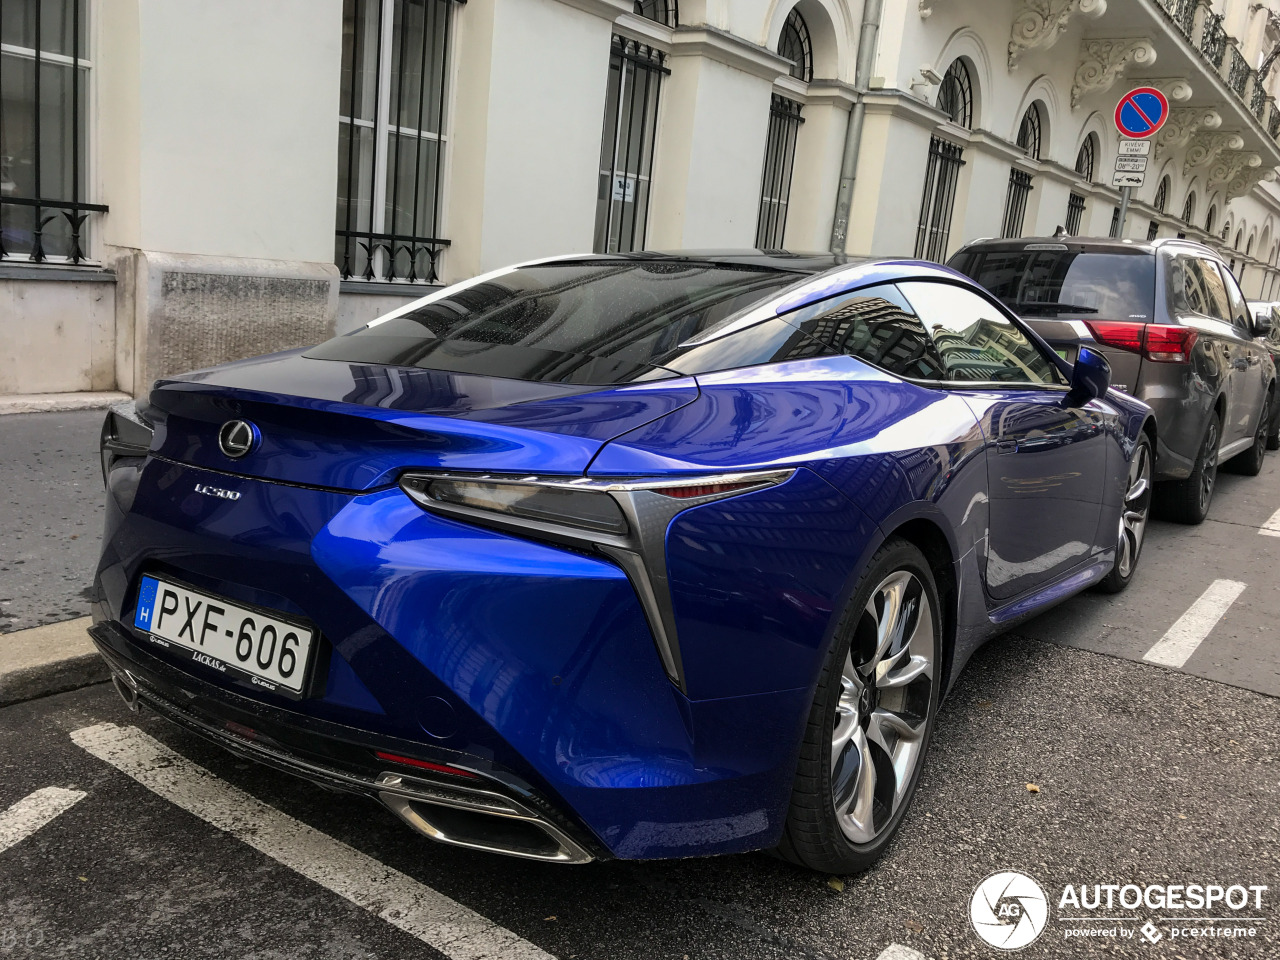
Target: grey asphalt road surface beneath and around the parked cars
1146, 775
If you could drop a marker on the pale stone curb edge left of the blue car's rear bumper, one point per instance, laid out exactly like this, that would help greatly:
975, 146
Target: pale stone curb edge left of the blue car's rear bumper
49, 660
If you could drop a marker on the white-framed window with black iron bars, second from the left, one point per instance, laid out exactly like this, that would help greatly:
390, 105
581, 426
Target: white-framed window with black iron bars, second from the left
392, 139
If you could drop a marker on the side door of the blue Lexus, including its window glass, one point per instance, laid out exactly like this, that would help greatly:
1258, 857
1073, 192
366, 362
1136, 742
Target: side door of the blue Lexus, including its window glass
1046, 463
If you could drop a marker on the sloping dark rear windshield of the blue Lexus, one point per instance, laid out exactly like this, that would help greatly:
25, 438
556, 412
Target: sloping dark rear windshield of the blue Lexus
591, 322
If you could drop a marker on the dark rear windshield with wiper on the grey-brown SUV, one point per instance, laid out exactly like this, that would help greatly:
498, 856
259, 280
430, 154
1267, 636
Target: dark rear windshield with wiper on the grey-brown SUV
1064, 284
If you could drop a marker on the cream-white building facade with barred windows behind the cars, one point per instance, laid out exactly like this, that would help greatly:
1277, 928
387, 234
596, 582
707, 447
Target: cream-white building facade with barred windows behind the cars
185, 184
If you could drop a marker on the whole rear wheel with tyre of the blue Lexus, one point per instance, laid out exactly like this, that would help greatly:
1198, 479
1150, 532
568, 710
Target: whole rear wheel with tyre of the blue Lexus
872, 719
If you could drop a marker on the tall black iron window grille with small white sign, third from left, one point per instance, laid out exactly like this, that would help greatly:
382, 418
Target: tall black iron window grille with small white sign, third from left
627, 150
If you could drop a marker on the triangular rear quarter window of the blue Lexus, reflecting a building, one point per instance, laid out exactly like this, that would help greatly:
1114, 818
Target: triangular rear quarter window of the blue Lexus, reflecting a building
875, 324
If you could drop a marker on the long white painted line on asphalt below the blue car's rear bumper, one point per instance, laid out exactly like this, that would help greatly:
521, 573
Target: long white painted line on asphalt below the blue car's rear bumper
436, 920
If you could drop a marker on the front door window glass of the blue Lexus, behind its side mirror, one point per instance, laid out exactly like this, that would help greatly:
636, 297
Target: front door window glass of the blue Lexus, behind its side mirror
975, 340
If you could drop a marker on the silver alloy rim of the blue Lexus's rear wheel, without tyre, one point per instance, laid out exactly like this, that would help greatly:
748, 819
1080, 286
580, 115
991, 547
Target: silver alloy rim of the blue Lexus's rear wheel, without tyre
884, 710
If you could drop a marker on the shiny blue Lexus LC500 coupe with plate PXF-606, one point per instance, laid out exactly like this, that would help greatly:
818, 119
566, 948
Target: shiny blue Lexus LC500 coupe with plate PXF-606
634, 556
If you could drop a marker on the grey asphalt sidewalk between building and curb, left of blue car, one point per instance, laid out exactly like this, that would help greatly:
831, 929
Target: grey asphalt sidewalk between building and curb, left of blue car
51, 516
